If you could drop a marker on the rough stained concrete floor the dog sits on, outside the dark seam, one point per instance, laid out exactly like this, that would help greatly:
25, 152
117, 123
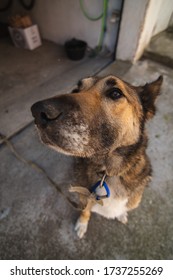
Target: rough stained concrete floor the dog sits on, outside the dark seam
36, 222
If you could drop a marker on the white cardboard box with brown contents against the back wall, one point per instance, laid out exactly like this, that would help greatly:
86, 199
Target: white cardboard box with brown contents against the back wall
27, 38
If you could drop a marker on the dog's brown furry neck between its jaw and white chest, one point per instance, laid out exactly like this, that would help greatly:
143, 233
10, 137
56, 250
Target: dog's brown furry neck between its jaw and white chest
115, 163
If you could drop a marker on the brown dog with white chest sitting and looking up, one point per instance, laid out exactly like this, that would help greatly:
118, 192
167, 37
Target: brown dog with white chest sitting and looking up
102, 123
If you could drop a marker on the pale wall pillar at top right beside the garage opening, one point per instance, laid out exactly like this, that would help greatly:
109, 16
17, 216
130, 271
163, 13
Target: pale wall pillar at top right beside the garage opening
141, 20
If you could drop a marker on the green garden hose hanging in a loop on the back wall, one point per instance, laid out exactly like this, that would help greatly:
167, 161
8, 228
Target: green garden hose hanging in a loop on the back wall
103, 24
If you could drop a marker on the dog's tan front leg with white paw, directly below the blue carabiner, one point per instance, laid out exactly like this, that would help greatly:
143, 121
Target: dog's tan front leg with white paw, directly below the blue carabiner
82, 223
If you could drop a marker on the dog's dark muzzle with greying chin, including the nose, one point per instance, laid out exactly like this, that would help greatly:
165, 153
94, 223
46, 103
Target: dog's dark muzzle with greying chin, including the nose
62, 125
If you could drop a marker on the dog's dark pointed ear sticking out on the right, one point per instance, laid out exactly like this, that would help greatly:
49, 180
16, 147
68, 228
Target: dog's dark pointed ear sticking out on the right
148, 94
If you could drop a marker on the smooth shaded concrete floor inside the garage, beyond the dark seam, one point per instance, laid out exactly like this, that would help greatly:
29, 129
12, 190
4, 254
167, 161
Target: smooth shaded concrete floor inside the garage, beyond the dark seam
28, 76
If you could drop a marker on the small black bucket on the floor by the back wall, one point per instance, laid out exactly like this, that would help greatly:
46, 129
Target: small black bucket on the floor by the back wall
75, 49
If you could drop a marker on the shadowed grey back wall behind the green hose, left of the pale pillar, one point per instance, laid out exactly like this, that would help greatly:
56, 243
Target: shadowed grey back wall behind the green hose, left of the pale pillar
60, 20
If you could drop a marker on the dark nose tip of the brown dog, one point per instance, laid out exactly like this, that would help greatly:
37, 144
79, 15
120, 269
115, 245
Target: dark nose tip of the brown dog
44, 113
